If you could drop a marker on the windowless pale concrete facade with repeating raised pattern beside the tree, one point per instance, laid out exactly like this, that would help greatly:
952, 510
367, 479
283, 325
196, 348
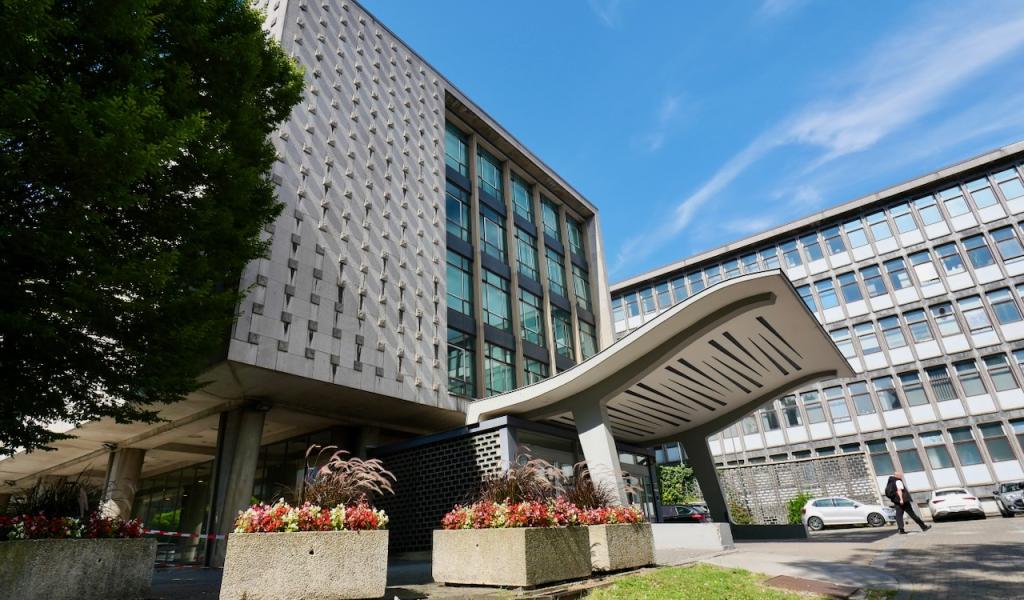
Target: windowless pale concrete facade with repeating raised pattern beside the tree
352, 290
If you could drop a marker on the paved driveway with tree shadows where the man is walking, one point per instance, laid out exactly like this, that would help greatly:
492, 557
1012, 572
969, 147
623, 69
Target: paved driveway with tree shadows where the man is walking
956, 560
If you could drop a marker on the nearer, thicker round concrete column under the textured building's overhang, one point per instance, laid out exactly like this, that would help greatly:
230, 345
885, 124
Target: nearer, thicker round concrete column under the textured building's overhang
239, 439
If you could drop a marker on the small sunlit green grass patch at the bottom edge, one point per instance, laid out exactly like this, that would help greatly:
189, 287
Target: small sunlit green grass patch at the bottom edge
701, 582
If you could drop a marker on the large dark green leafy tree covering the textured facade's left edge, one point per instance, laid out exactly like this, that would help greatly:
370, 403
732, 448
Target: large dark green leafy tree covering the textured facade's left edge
135, 159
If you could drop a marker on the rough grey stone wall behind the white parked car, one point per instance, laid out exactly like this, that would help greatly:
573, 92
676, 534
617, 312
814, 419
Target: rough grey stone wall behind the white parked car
766, 488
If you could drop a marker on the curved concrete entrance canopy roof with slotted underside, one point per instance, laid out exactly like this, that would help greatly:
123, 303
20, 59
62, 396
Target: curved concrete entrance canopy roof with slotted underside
700, 366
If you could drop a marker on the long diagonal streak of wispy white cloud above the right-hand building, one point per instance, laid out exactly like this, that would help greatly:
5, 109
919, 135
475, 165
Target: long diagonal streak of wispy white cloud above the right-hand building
905, 78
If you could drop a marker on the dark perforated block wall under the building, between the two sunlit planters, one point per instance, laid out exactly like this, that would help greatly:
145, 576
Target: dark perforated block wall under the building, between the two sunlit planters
434, 478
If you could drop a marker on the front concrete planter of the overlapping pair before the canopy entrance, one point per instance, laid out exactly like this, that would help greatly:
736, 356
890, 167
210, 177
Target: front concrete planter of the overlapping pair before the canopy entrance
521, 558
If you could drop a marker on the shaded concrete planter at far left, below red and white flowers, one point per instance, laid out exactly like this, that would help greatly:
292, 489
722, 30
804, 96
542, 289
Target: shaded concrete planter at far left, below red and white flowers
77, 570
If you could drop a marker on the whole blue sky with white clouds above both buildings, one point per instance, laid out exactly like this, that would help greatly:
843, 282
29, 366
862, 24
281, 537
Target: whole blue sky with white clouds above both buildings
691, 125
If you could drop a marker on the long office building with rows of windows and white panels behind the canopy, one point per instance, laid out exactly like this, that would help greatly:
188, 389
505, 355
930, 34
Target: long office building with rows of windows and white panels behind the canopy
922, 287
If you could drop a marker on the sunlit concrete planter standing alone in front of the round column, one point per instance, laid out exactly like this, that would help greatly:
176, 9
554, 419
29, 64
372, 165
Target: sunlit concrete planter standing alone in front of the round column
313, 566
